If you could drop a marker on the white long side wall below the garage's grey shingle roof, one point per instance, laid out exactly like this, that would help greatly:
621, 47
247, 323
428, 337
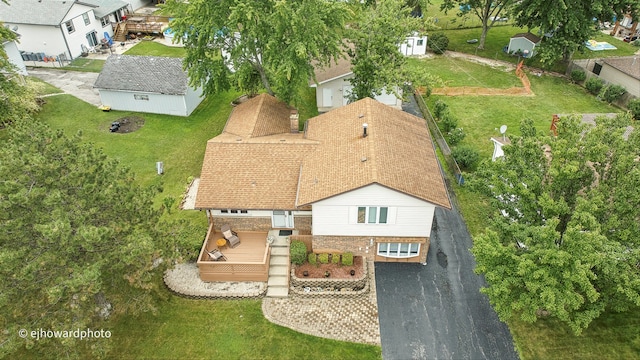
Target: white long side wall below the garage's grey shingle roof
157, 103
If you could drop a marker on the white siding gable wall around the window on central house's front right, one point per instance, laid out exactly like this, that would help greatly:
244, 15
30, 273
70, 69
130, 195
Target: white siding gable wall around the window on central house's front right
408, 216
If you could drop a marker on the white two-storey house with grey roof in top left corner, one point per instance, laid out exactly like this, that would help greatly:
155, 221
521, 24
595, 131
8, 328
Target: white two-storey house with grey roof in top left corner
63, 28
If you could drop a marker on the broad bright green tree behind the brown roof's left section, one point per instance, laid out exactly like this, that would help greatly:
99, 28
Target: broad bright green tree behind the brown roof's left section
272, 43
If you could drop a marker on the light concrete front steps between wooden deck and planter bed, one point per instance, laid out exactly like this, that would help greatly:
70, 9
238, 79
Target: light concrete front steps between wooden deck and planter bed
278, 283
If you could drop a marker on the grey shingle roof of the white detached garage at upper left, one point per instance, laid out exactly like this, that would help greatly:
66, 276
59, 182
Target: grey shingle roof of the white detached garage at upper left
153, 74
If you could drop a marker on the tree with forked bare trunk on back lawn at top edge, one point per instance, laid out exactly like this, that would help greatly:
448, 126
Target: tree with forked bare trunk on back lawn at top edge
488, 11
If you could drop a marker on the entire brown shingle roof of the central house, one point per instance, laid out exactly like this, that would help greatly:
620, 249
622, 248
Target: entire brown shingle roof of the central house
289, 171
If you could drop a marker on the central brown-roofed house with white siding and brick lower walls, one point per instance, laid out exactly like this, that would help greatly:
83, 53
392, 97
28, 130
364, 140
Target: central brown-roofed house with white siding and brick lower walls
372, 192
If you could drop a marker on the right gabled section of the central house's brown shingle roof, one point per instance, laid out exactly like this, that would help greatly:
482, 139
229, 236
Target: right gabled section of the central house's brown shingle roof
397, 154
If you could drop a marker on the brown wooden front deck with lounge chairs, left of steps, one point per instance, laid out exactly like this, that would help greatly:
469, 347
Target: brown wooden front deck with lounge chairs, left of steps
249, 261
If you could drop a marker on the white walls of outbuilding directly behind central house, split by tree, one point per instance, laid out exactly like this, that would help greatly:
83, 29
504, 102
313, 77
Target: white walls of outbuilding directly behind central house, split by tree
335, 90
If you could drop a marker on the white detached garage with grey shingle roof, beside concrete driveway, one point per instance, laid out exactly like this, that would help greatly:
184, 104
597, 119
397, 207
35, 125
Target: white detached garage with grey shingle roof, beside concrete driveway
149, 84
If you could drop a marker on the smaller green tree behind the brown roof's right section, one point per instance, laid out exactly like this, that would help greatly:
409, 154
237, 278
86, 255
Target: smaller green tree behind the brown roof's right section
376, 61
